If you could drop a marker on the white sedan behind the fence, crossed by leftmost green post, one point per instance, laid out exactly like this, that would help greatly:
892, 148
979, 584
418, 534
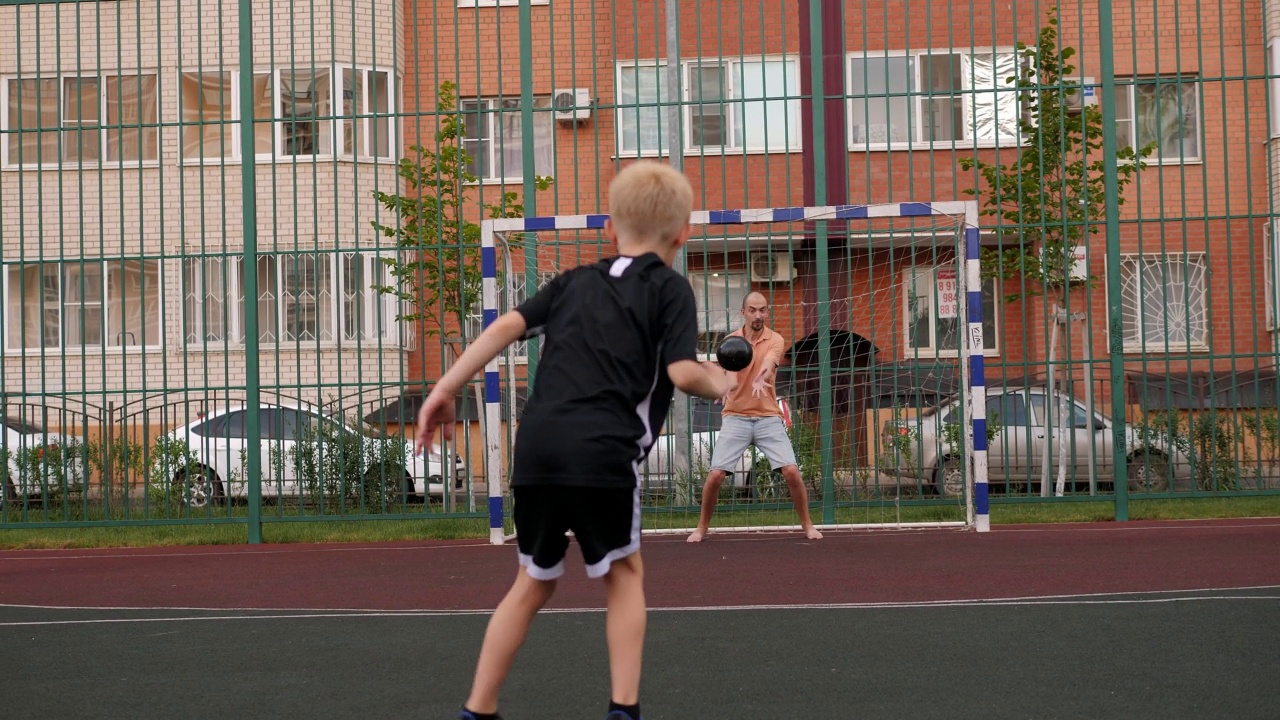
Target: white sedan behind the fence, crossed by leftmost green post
218, 448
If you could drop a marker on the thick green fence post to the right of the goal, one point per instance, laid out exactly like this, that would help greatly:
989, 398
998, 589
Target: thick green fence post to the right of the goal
1116, 300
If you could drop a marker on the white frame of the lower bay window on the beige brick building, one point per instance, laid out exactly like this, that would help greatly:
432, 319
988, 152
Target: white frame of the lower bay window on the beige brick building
387, 330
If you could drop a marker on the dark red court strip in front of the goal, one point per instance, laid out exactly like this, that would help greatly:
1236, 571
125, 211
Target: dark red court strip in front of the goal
726, 571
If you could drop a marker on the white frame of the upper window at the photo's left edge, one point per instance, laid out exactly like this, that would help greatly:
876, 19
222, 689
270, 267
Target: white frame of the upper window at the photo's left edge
103, 130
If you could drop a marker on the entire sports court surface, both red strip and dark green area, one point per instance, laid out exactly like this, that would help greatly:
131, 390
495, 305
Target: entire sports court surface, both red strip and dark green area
1127, 621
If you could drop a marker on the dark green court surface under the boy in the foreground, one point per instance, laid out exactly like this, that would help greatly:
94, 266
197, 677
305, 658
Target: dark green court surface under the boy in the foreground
1132, 657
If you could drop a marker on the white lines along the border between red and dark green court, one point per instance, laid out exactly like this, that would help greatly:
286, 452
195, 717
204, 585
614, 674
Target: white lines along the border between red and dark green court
278, 614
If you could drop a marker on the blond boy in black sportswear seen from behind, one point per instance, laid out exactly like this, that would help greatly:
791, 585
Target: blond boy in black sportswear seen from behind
619, 336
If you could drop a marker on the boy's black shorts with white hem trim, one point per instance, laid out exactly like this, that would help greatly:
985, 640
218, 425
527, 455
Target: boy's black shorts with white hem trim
606, 522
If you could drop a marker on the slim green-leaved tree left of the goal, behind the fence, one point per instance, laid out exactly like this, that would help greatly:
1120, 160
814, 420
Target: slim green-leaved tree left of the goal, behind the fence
436, 275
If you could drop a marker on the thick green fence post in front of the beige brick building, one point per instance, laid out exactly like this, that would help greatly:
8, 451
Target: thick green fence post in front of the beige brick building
249, 198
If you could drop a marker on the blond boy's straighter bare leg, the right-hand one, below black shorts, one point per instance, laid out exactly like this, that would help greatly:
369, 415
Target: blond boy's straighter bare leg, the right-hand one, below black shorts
625, 627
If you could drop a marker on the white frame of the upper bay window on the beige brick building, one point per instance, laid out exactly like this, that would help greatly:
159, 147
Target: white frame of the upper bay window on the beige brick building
337, 124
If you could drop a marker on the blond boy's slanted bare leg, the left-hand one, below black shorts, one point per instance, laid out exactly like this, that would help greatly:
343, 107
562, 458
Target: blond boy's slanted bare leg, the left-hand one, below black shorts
502, 640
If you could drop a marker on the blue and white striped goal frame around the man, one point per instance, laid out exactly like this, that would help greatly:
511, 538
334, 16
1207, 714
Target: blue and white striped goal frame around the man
964, 213
